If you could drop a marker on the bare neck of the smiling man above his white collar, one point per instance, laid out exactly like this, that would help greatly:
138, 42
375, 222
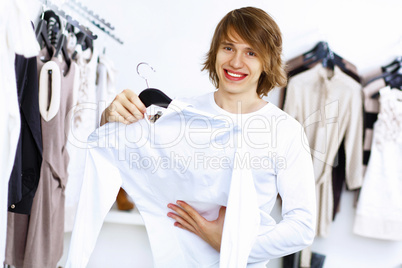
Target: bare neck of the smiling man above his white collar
238, 104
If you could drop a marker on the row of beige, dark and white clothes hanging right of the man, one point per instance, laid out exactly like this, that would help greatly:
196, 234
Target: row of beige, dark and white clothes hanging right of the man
326, 95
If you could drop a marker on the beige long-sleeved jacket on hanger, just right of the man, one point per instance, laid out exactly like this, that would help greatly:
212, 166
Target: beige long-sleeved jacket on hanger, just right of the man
324, 94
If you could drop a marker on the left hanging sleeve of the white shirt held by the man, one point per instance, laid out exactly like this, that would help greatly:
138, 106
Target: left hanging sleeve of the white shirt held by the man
98, 192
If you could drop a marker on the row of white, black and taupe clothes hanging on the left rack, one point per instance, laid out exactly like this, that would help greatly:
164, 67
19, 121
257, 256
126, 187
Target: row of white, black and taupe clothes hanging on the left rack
55, 89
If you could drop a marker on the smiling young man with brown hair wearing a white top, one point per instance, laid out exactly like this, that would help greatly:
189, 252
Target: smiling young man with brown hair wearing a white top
244, 63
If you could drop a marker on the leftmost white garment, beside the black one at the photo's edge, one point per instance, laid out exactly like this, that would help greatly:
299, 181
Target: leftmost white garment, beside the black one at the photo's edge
16, 36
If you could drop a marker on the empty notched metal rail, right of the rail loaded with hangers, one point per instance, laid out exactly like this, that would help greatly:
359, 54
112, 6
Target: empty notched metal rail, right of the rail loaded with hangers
90, 16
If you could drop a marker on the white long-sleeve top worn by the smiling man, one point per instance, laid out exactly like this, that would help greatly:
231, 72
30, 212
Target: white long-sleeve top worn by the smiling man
280, 161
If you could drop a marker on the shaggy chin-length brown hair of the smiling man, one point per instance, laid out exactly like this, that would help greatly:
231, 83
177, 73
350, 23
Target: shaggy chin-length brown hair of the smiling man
259, 30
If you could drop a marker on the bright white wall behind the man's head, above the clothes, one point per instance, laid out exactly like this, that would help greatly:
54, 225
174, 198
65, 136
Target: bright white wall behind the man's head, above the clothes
173, 36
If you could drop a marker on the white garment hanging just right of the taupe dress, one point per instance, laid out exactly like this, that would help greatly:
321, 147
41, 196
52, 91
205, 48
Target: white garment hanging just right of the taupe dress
83, 122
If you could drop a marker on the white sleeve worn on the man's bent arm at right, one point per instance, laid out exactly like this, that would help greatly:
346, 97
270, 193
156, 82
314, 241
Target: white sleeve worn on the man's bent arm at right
296, 186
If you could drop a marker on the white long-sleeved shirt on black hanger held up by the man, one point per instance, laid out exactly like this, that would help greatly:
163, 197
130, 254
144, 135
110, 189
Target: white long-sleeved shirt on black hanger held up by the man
129, 155
